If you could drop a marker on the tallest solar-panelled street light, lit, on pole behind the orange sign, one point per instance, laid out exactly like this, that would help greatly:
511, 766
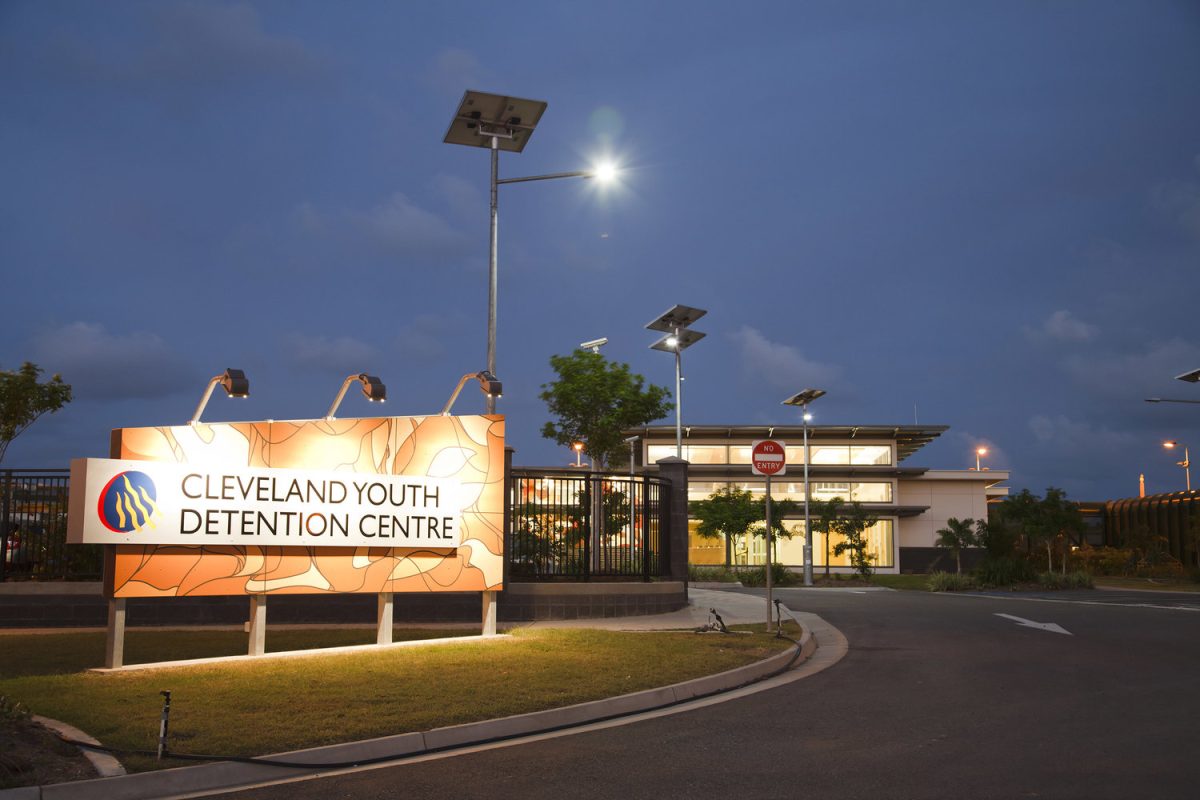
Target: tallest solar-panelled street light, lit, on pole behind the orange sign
502, 123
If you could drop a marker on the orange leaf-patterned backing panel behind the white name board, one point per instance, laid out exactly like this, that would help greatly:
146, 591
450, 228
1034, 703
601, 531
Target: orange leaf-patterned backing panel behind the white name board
467, 450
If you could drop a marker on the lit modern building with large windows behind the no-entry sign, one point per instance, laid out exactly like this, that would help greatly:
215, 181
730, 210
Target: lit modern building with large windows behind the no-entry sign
857, 464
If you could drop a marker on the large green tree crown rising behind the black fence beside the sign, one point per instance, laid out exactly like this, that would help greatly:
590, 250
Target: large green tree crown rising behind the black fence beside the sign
595, 401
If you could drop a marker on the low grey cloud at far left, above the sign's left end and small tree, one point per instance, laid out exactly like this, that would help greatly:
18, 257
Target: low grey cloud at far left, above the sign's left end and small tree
109, 366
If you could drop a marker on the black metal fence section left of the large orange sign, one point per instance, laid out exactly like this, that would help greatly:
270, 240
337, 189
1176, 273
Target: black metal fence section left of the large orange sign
34, 530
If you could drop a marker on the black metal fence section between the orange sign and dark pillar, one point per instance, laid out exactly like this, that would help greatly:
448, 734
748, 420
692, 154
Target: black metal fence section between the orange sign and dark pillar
577, 526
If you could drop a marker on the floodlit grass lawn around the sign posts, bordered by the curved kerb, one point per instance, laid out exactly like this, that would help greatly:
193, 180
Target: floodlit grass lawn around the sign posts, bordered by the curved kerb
262, 707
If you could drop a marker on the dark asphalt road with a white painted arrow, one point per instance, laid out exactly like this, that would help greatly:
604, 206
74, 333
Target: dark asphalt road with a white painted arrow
939, 697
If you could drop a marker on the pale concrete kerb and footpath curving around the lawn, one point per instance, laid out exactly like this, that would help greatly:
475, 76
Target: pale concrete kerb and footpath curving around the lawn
734, 610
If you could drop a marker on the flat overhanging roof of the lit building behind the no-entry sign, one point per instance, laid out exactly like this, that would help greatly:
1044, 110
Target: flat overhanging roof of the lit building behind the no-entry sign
909, 438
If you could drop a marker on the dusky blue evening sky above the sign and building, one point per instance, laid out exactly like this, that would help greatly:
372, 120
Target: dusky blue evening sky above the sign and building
986, 215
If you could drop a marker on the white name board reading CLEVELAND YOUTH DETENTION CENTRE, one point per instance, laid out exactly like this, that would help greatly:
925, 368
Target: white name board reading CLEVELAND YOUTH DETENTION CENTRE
157, 503
